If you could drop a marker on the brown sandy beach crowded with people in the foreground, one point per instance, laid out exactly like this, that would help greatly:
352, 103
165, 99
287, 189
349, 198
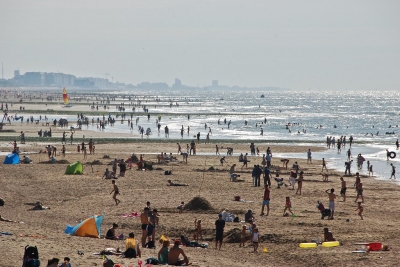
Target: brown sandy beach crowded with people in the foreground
73, 198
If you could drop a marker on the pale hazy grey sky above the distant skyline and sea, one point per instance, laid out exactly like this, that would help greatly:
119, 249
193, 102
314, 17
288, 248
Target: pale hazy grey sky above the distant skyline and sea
301, 45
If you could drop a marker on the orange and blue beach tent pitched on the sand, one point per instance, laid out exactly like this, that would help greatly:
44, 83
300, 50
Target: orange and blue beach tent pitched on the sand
88, 228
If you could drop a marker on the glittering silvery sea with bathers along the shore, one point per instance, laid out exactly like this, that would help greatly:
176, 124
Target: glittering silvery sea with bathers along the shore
264, 117
